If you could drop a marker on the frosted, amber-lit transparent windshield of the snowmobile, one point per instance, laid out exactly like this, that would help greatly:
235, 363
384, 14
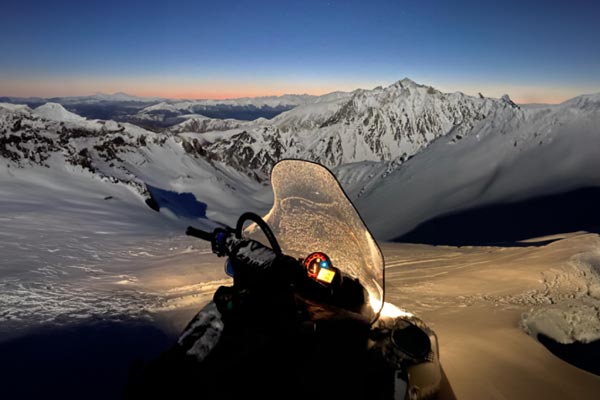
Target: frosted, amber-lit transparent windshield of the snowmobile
311, 213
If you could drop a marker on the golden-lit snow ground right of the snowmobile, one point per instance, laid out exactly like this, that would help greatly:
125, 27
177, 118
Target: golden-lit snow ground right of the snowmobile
477, 299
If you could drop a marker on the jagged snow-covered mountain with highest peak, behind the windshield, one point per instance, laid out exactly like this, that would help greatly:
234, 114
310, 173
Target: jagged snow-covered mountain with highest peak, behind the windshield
384, 124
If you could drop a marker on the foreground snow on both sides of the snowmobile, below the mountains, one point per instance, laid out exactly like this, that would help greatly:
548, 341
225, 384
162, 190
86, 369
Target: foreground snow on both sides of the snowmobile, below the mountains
72, 254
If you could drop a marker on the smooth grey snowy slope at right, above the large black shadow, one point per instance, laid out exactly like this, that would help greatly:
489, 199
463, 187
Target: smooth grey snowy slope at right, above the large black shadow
511, 155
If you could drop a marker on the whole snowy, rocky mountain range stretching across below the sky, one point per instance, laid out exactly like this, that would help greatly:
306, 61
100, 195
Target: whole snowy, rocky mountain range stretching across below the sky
406, 153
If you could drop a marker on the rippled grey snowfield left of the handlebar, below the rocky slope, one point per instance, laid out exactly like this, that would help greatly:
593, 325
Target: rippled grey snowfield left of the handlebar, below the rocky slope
73, 249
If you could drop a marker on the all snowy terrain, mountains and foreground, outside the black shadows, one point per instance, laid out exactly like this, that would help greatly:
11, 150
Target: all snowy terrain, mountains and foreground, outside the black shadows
79, 244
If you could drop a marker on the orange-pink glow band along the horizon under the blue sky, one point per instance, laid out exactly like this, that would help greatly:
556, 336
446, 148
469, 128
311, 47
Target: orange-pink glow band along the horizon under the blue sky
186, 88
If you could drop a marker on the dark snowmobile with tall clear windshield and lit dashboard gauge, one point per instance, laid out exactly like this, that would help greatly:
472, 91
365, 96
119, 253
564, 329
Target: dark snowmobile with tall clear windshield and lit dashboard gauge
305, 316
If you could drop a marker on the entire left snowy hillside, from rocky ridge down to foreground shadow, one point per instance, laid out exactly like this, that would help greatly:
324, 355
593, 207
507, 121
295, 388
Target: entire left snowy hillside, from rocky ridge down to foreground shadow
74, 225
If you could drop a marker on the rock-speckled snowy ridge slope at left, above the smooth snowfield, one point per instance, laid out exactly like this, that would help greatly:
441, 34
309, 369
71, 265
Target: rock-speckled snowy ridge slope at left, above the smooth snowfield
123, 153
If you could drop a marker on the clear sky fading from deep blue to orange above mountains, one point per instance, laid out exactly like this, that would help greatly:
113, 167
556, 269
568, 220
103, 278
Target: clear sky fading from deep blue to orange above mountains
544, 51
